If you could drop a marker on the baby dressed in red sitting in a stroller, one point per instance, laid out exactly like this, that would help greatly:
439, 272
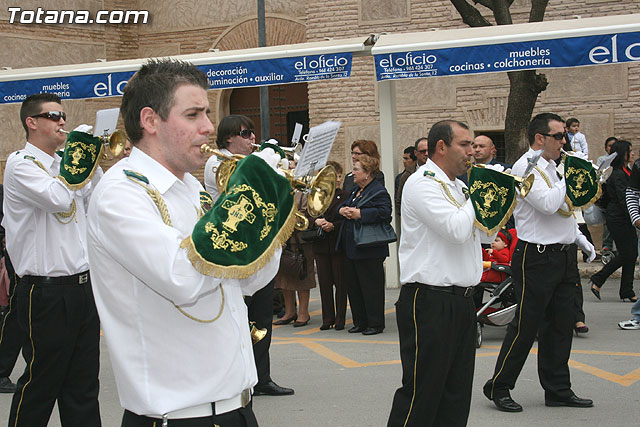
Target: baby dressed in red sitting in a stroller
496, 281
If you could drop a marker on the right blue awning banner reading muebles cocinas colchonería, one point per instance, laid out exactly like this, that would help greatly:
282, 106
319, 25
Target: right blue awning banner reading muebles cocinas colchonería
557, 53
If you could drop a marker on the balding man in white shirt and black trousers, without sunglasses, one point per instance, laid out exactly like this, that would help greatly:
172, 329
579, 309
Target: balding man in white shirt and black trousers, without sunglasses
440, 263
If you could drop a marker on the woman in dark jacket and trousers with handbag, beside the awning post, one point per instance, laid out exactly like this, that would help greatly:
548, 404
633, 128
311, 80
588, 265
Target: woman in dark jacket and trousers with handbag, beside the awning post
363, 270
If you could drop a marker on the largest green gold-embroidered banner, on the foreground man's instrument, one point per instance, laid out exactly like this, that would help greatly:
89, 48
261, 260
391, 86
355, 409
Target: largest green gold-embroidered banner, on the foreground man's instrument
253, 218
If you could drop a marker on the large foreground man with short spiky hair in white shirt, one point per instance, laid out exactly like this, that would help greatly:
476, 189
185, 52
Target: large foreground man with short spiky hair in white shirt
179, 339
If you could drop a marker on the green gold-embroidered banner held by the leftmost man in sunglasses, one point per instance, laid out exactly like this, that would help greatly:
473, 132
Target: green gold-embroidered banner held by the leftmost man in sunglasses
82, 153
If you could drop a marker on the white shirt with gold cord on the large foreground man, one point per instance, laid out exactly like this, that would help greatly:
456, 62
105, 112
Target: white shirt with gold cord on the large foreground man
162, 360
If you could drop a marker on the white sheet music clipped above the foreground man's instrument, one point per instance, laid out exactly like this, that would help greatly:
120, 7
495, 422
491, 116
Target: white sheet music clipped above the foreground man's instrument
317, 149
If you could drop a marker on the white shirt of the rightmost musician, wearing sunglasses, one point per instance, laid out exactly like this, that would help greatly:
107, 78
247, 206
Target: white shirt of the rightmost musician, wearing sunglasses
537, 218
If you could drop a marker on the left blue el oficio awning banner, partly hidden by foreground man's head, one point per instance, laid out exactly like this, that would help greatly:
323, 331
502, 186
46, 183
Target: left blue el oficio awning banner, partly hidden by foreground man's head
220, 76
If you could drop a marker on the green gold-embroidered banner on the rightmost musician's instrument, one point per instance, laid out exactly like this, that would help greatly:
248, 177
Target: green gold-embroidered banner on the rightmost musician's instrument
581, 178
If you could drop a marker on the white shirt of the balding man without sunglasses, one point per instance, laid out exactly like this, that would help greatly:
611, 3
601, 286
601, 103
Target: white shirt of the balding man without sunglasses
439, 244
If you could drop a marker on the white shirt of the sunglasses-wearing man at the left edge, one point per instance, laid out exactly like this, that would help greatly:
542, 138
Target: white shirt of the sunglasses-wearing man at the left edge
39, 242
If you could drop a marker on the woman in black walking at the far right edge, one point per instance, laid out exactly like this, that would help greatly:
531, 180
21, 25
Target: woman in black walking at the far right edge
620, 226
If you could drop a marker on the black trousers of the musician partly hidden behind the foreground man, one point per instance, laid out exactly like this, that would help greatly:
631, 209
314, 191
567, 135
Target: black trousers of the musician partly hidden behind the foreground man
260, 310
